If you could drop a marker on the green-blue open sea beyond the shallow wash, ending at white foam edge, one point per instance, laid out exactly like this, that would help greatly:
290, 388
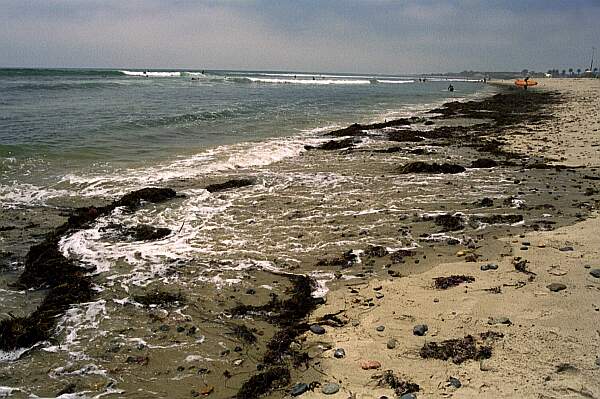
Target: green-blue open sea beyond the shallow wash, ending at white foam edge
100, 132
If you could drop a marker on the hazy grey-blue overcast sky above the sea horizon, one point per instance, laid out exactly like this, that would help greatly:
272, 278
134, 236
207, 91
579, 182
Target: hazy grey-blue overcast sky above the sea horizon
356, 36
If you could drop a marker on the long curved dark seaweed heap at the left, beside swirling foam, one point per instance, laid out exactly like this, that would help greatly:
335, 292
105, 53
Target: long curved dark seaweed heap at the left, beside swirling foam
67, 283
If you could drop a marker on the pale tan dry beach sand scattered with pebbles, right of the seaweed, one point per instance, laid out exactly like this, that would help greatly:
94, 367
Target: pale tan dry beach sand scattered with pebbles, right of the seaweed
551, 347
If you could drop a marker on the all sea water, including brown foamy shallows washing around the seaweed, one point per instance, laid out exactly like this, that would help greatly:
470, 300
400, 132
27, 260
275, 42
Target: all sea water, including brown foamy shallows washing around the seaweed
79, 137
